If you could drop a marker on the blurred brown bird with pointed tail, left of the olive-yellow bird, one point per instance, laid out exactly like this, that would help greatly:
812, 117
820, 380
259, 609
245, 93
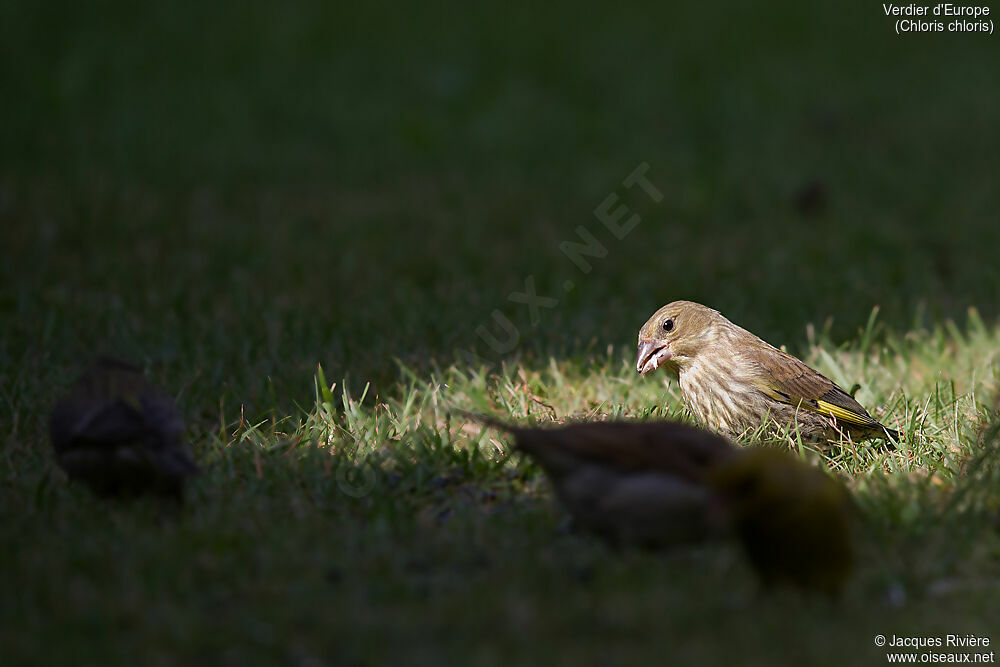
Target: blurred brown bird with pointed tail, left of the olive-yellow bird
641, 483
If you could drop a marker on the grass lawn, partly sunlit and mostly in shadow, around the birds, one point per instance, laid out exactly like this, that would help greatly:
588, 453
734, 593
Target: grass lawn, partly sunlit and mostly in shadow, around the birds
236, 198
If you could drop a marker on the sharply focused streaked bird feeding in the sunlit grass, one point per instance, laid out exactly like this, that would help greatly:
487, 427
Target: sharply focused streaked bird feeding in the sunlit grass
733, 381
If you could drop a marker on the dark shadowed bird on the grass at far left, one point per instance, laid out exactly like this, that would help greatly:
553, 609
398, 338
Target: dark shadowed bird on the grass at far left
119, 434
